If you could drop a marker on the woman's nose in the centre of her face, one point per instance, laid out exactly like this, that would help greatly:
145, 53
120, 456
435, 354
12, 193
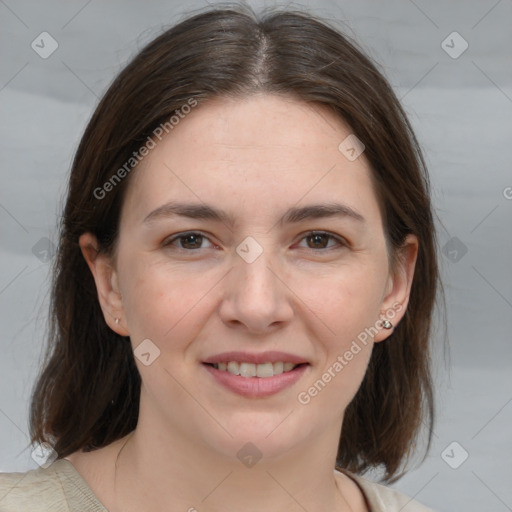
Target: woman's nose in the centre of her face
256, 296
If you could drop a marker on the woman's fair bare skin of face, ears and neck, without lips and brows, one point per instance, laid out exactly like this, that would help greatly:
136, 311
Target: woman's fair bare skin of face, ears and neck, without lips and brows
255, 158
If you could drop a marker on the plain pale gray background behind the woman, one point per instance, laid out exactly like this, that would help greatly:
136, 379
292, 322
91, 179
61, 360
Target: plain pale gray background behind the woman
461, 109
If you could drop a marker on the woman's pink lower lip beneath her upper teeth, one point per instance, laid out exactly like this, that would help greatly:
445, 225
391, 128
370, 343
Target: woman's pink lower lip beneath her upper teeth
256, 387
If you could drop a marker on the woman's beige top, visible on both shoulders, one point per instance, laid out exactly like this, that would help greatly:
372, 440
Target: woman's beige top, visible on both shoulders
60, 488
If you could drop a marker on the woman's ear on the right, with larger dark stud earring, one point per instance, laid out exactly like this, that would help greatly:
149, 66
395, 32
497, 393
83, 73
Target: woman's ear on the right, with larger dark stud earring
398, 289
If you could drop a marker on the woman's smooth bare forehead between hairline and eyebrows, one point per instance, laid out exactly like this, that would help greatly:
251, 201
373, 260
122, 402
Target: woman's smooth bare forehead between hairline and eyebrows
257, 154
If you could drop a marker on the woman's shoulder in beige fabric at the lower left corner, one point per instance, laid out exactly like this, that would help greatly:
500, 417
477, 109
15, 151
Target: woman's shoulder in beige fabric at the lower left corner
57, 488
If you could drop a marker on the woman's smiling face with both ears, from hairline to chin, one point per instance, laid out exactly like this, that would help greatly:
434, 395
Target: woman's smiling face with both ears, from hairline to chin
272, 286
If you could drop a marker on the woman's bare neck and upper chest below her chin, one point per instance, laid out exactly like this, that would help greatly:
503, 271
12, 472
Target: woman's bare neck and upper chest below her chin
157, 469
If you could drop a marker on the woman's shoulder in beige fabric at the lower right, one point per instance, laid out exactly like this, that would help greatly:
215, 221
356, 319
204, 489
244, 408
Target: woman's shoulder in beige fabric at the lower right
385, 499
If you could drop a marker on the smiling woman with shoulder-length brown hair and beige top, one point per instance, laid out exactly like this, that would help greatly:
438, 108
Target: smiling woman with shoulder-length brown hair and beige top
244, 286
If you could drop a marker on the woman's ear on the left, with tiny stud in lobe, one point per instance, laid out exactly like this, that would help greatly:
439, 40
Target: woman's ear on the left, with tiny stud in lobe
105, 277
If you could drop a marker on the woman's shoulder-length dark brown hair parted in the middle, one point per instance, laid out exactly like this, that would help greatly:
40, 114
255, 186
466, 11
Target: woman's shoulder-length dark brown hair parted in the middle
87, 394
